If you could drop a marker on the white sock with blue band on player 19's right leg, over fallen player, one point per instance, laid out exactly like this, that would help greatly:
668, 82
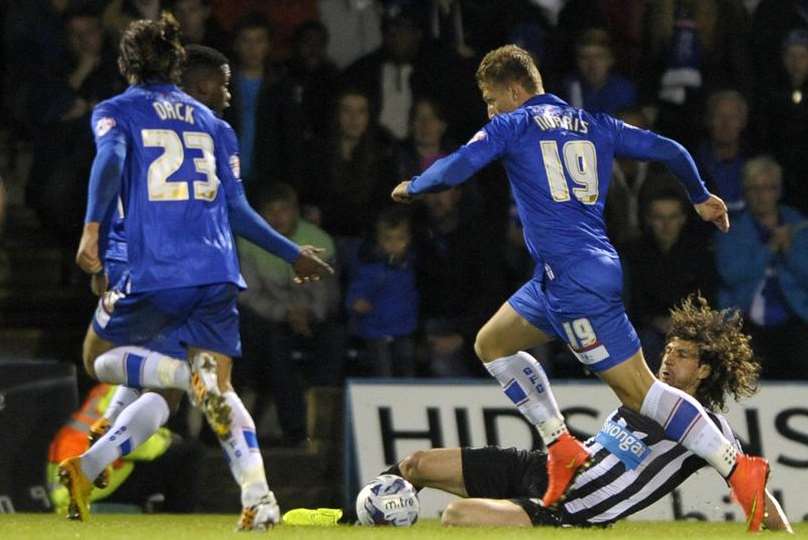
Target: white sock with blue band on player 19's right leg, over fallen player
686, 422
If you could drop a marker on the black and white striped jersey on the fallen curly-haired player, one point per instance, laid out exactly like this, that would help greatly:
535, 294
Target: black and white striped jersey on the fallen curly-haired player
633, 466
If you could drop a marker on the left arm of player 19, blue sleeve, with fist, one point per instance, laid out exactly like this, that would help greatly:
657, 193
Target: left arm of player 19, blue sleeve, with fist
487, 144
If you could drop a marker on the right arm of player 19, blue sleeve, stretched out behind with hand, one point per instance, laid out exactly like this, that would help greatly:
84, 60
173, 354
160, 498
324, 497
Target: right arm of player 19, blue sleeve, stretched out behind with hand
646, 145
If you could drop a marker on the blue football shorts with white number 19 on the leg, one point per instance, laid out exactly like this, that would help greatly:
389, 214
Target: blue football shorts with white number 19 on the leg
581, 304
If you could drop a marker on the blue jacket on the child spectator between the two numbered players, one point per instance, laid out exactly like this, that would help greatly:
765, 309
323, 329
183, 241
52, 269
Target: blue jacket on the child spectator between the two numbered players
390, 288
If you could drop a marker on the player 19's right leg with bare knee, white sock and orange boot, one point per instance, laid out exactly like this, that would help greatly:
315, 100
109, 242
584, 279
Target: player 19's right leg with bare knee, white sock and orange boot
685, 421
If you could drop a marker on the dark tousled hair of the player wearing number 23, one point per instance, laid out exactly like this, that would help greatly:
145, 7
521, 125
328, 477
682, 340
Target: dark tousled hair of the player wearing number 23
151, 51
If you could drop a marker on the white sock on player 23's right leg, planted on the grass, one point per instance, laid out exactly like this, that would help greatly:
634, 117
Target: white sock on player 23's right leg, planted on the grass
243, 454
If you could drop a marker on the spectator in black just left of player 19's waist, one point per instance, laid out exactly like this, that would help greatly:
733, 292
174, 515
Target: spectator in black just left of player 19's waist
460, 277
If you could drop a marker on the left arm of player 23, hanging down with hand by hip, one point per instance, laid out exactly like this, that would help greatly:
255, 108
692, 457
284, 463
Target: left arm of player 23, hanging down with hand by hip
104, 186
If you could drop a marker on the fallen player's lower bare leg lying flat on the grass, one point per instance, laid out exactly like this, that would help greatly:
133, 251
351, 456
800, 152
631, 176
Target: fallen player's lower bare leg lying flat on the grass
485, 512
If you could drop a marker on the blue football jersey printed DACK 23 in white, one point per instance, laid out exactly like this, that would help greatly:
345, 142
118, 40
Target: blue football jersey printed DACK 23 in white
174, 214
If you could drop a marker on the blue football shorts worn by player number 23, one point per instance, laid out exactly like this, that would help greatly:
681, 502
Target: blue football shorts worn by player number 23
170, 320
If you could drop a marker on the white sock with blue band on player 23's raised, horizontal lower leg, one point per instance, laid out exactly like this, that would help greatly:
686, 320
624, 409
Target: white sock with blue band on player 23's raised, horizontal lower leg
137, 367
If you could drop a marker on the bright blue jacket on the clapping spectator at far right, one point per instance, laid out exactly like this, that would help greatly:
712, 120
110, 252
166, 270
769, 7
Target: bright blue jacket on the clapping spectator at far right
742, 258
